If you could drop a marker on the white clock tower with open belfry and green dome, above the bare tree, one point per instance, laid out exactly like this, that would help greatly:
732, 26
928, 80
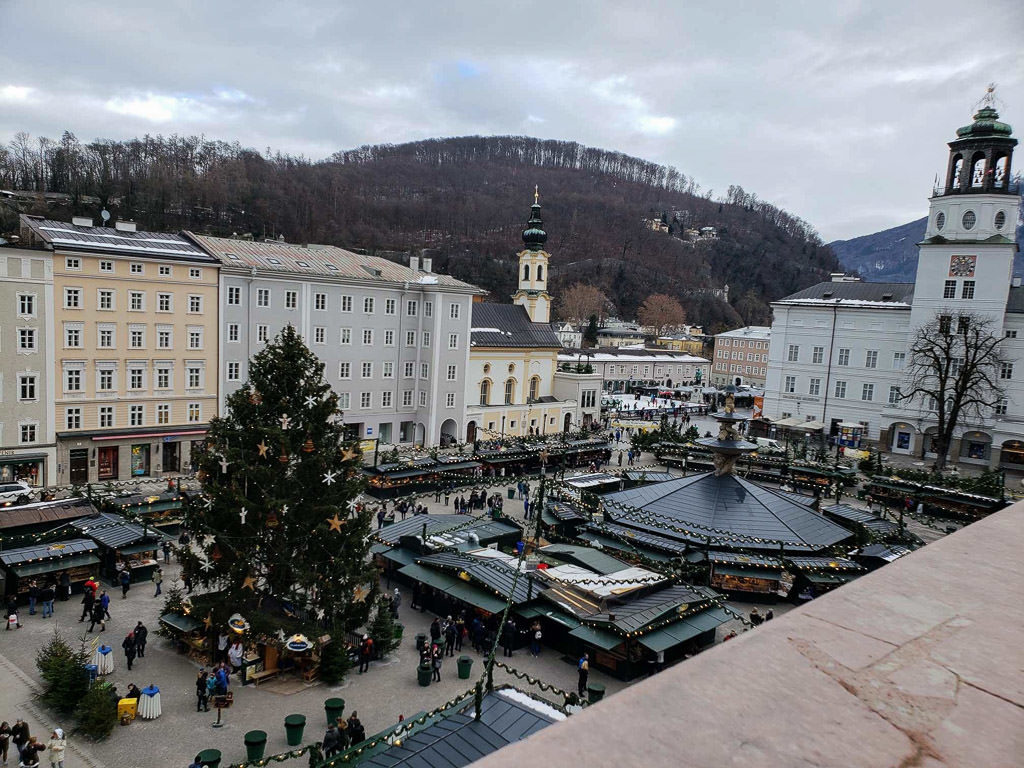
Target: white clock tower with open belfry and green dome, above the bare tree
966, 261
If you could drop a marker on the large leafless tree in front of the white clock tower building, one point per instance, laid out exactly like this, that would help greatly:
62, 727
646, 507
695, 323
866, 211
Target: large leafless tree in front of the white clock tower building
955, 369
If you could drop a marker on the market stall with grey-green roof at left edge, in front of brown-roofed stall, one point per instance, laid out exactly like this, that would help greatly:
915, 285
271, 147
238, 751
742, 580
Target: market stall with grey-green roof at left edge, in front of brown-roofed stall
47, 563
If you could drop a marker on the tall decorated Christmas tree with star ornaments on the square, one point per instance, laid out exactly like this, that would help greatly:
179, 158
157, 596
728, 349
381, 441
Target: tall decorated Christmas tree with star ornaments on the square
283, 540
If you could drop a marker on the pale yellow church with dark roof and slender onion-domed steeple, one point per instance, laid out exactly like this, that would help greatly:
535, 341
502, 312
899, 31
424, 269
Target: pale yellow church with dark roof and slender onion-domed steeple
514, 358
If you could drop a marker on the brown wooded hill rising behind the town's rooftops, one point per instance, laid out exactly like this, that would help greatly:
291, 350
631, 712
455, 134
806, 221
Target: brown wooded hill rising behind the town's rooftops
466, 198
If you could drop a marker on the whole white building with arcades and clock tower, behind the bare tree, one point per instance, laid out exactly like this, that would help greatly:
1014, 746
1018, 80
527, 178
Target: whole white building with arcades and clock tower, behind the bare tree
840, 351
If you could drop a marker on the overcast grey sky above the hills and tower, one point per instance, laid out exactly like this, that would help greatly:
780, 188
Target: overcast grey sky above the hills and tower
836, 111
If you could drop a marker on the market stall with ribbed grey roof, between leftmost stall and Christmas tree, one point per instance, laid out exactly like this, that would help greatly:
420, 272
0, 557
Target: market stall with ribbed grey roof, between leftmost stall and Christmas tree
123, 546
